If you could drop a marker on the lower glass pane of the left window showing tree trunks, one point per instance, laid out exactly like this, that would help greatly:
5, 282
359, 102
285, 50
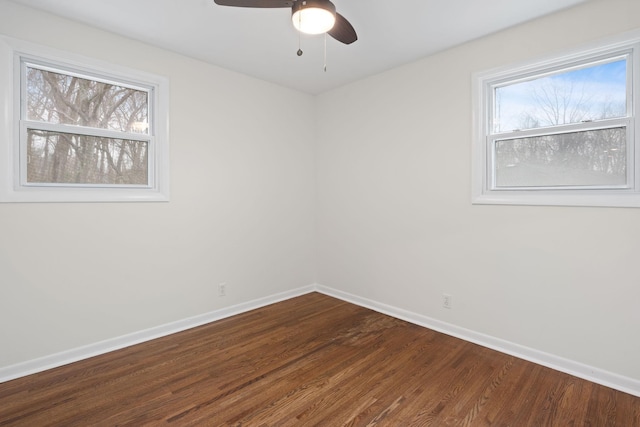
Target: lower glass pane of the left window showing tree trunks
79, 159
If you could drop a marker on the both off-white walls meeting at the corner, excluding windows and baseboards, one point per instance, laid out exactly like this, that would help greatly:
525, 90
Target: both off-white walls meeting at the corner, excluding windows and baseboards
368, 191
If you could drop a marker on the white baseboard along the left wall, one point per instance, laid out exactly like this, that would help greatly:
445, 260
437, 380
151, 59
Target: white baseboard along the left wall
73, 355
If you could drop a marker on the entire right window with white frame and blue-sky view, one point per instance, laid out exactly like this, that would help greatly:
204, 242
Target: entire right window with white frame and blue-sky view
560, 131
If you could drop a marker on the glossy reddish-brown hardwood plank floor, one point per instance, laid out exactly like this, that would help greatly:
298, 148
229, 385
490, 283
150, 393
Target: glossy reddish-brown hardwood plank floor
311, 360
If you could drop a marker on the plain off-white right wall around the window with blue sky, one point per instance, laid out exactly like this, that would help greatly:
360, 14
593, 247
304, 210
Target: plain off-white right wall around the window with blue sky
396, 224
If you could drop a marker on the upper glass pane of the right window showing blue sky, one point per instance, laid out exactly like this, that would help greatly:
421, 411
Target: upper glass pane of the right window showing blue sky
590, 93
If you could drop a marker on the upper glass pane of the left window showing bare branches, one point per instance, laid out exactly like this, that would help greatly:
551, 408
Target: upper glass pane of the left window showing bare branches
64, 99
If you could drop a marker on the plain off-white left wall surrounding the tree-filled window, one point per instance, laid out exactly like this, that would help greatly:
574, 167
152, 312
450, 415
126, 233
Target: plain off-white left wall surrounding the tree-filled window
241, 210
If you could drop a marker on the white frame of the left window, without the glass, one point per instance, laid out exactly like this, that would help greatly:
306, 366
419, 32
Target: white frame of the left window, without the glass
14, 54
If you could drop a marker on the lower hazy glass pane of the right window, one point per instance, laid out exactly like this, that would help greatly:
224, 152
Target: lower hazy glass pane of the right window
589, 158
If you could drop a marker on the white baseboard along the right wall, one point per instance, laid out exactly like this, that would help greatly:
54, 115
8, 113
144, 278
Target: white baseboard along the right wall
590, 373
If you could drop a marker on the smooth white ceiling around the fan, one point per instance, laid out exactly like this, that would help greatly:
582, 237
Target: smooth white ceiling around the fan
262, 42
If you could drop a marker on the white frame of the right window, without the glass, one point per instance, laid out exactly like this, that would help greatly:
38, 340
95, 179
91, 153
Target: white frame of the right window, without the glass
484, 190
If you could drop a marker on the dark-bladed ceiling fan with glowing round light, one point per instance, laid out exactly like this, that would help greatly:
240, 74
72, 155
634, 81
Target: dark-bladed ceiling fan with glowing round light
308, 16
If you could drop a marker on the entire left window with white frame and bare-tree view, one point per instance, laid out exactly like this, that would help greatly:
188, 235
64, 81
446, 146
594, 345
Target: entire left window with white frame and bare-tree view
80, 130
